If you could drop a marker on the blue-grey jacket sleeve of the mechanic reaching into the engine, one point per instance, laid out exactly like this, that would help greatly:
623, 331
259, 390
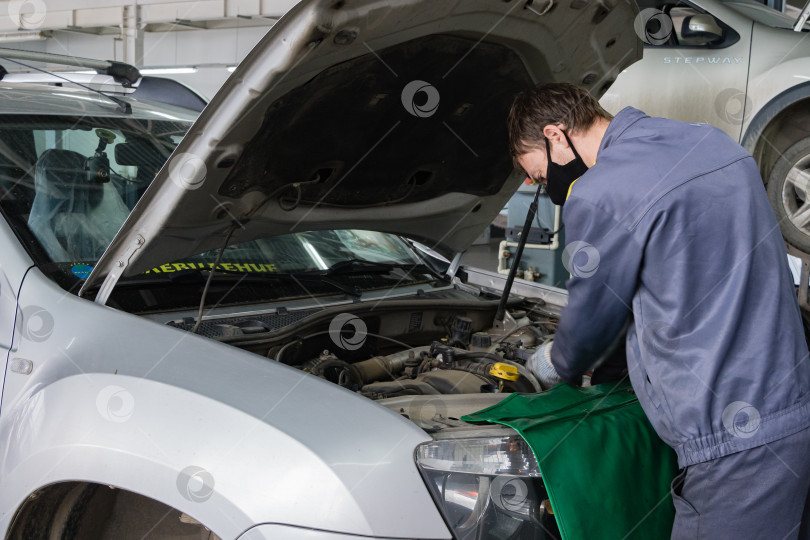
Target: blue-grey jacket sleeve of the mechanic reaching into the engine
604, 259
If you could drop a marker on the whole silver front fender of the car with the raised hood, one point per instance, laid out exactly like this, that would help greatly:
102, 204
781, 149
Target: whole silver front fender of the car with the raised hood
228, 437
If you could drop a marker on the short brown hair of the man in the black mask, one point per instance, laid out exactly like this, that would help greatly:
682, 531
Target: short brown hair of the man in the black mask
551, 103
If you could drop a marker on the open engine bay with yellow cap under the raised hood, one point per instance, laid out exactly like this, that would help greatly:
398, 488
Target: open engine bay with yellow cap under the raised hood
401, 348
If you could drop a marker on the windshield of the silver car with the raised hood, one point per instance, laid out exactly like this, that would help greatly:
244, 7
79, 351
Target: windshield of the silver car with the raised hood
67, 185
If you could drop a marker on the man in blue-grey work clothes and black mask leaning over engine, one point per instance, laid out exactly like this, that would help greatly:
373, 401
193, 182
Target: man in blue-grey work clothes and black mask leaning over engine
670, 234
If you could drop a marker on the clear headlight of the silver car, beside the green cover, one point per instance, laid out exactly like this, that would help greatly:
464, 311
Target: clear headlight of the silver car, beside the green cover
487, 488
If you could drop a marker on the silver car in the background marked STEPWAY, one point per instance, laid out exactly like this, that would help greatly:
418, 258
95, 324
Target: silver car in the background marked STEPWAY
742, 67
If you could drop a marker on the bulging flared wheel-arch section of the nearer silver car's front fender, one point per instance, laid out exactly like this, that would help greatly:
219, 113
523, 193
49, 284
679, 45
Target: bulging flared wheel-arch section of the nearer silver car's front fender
113, 430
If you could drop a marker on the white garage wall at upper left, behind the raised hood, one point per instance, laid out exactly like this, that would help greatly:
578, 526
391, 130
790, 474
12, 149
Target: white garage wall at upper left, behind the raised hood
208, 35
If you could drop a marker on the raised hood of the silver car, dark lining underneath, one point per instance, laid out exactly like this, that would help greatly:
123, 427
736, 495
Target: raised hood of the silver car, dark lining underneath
368, 114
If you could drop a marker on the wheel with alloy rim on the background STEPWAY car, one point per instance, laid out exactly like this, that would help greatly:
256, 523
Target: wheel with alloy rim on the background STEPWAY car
789, 194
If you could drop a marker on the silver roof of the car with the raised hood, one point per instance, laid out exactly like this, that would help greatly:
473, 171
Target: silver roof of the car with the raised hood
32, 98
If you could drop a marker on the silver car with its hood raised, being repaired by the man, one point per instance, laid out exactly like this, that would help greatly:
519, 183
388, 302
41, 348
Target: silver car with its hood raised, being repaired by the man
254, 324
